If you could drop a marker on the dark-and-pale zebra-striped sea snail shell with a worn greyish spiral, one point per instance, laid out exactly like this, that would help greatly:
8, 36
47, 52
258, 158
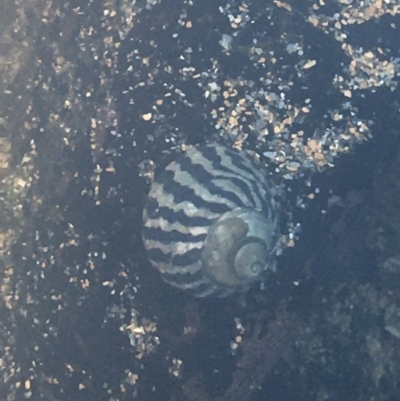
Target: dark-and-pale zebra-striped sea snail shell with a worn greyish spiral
211, 222
